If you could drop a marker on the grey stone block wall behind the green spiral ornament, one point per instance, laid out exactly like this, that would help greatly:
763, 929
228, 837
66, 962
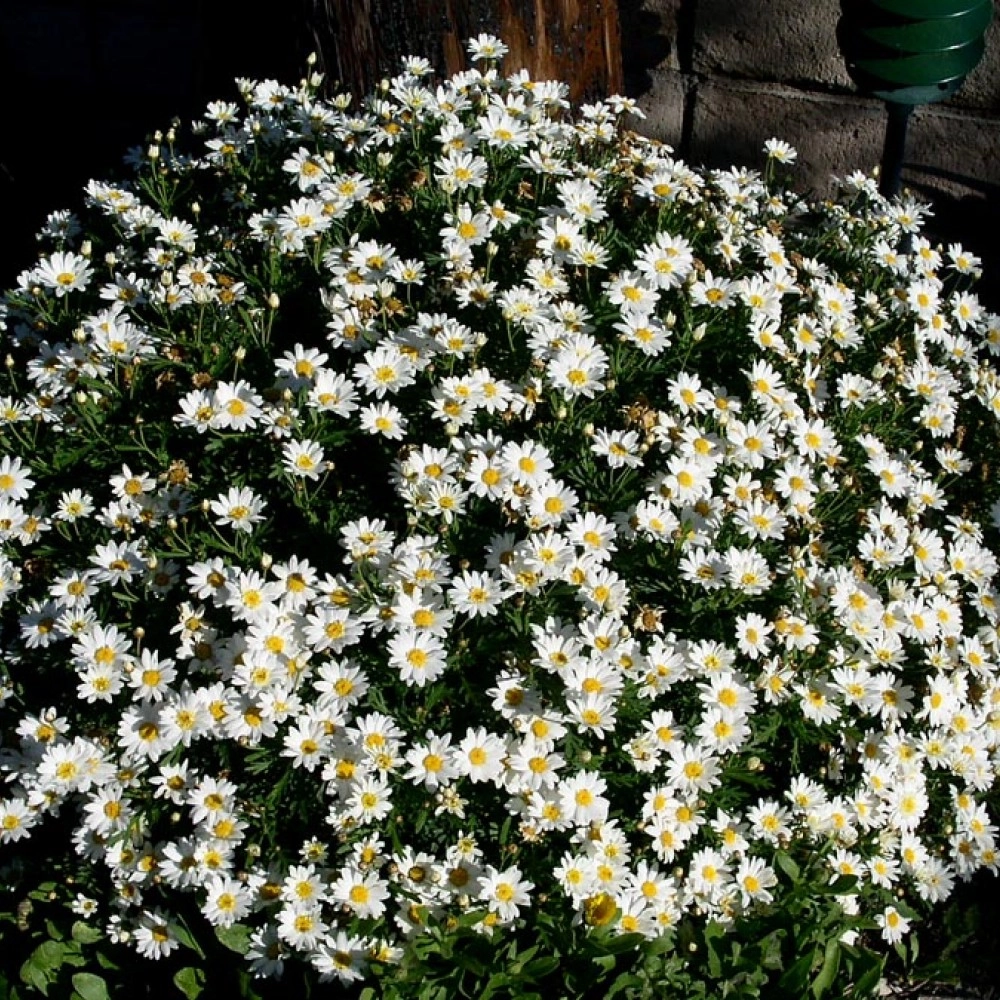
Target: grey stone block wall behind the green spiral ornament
719, 77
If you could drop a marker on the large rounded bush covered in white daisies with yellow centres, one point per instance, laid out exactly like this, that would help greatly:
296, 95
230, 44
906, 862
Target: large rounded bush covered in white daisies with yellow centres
453, 542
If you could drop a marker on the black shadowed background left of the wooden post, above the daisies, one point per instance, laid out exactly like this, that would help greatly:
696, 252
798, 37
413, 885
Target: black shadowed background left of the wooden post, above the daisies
88, 79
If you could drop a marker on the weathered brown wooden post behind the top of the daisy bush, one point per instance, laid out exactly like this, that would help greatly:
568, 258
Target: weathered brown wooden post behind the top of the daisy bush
359, 42
